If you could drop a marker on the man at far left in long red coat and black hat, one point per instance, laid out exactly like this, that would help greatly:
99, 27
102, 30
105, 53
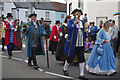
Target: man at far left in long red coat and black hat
10, 34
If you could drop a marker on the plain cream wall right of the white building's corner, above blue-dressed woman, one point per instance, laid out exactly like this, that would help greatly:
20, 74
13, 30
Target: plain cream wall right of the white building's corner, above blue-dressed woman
101, 9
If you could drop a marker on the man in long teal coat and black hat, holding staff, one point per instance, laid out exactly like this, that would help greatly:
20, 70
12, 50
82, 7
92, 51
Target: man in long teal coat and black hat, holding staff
34, 43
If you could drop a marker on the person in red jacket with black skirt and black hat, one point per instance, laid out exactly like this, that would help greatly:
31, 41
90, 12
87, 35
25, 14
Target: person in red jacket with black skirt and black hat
54, 37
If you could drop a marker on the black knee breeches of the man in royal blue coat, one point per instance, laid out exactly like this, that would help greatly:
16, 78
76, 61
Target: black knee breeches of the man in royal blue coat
79, 51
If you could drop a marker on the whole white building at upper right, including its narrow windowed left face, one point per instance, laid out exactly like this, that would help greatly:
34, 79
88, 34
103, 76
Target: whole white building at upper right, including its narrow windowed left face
96, 9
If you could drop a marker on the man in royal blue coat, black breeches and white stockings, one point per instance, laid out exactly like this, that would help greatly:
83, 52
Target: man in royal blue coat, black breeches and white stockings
74, 43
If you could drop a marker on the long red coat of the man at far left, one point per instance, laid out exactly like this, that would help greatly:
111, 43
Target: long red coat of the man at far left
7, 33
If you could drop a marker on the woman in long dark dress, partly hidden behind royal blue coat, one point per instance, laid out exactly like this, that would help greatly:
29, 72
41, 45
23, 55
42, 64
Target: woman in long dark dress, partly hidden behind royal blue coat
60, 48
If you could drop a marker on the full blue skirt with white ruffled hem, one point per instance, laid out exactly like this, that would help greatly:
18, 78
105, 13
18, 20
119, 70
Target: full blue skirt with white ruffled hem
101, 64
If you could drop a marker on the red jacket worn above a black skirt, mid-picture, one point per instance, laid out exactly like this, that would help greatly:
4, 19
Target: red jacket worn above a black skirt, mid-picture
54, 32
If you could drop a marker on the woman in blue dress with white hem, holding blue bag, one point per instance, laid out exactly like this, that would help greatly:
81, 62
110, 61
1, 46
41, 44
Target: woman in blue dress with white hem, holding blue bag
101, 60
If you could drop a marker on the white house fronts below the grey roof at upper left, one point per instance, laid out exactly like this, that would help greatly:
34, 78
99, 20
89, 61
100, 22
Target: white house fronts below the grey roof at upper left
23, 13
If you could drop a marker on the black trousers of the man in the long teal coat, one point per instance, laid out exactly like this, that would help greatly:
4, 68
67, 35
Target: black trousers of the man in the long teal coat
33, 57
